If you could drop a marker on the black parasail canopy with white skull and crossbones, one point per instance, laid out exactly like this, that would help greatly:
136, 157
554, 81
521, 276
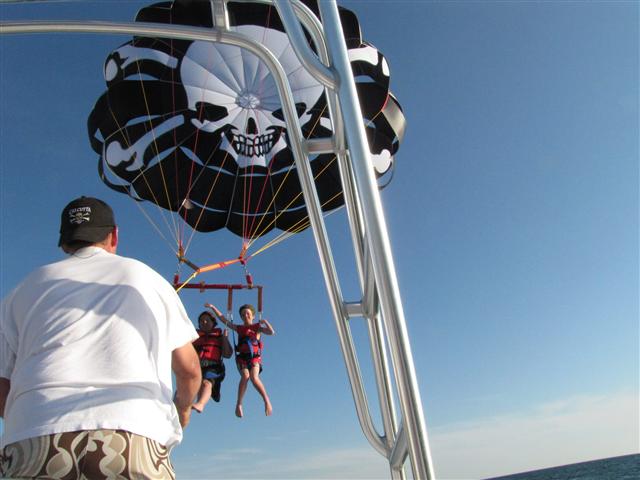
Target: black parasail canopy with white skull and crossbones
197, 127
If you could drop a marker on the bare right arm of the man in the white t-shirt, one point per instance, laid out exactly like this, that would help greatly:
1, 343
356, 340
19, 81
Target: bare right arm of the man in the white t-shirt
186, 367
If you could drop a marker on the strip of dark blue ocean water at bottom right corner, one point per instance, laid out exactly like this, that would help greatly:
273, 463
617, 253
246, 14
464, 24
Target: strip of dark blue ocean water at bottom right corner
615, 468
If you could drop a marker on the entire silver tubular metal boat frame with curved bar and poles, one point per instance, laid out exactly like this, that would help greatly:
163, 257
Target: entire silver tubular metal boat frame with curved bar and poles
380, 303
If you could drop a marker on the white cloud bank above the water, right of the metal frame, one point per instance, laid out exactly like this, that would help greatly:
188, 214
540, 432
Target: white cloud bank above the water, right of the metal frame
562, 432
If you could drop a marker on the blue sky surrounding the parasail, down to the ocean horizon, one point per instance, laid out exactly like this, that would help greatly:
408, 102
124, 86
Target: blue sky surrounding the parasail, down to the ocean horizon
513, 216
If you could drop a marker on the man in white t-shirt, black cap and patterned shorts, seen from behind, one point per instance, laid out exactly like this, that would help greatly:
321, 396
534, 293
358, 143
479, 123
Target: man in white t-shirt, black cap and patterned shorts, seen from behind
87, 348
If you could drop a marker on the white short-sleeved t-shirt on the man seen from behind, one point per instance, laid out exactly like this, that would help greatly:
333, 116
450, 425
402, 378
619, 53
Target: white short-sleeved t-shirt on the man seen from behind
86, 343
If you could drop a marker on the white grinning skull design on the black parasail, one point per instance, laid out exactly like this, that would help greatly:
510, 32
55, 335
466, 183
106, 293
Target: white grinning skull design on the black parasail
244, 106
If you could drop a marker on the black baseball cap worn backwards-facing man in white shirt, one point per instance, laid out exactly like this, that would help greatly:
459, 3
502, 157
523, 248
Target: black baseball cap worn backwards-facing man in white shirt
87, 219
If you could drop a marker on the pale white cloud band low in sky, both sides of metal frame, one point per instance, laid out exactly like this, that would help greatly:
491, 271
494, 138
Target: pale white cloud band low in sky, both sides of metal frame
558, 433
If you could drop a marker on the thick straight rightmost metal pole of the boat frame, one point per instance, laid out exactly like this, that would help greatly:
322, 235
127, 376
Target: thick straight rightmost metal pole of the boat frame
377, 237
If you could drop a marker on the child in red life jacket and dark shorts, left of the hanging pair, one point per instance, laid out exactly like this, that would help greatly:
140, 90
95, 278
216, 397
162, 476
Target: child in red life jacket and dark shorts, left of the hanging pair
212, 345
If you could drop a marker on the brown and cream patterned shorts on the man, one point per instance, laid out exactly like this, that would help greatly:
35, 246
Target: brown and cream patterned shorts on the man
87, 455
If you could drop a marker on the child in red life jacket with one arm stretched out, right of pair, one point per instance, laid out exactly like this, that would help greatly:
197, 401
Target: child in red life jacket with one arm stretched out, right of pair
248, 353
